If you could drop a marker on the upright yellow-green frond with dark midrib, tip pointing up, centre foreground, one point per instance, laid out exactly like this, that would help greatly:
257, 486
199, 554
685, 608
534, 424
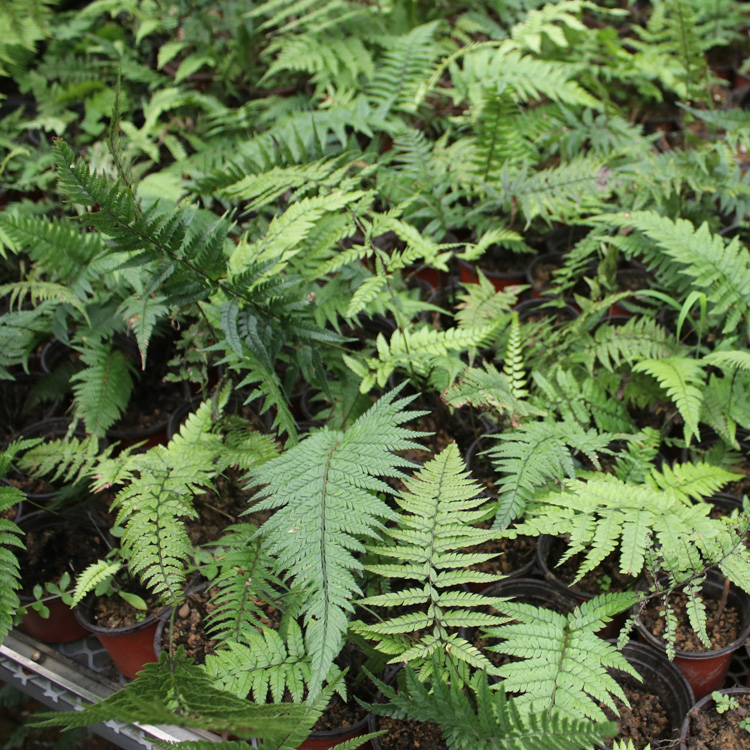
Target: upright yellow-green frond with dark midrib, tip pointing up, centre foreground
439, 506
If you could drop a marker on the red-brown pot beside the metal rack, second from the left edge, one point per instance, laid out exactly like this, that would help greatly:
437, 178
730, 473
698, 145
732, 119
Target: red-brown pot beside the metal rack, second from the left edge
129, 647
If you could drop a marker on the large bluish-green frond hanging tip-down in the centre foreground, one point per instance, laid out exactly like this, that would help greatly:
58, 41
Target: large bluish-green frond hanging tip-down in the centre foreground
323, 490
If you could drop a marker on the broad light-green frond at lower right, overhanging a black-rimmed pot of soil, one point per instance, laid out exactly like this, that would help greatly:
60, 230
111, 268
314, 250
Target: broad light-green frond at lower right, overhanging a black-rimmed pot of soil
563, 660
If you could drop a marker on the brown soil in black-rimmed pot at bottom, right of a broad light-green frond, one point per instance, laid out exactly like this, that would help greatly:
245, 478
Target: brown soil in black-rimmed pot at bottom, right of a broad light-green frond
646, 720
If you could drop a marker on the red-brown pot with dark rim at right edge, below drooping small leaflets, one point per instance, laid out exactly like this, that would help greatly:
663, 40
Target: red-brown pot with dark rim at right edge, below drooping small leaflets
706, 671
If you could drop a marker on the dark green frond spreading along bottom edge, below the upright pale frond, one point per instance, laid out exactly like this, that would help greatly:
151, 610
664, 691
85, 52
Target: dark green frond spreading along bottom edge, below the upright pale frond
484, 719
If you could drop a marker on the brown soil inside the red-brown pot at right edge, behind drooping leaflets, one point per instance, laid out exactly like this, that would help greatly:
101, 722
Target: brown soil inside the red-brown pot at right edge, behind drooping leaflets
721, 631
